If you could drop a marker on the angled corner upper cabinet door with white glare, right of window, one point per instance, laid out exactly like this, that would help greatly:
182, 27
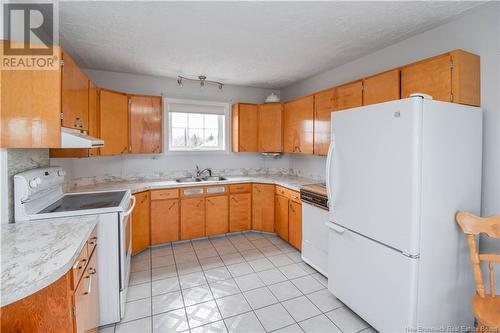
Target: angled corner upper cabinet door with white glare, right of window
298, 125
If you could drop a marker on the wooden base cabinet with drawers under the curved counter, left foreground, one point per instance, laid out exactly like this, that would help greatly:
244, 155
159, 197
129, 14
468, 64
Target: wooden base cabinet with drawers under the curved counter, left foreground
70, 304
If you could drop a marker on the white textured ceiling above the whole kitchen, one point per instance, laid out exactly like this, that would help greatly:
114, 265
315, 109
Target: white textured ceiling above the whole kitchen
260, 44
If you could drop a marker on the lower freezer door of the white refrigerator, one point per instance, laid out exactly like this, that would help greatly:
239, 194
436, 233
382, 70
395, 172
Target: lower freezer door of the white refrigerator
376, 282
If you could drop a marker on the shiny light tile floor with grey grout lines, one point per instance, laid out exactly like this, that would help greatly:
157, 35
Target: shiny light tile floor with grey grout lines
240, 282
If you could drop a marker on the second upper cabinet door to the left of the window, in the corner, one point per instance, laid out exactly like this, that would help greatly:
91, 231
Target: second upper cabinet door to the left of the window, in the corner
113, 121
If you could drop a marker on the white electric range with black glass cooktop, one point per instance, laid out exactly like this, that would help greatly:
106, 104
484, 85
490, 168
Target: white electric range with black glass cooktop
38, 195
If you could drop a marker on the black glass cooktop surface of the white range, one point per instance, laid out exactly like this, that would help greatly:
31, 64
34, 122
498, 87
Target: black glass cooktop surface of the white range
83, 201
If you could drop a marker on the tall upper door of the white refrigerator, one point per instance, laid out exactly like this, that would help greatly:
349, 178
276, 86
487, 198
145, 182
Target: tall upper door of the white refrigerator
374, 172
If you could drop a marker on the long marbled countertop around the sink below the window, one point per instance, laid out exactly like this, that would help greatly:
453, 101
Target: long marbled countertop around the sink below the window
290, 182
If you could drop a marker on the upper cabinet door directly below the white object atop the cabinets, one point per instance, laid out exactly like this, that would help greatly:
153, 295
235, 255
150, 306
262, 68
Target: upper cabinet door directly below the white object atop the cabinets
270, 128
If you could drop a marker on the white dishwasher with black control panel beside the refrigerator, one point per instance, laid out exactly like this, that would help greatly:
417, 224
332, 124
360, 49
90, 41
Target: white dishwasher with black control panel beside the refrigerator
314, 230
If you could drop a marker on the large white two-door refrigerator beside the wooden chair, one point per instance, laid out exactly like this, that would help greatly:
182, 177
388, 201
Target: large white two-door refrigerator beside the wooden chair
397, 173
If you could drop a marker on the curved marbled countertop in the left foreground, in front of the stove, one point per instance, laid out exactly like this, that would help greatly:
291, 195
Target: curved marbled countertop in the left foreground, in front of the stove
36, 254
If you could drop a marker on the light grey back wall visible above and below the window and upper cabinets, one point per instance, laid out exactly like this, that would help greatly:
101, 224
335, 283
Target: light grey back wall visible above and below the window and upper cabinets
153, 166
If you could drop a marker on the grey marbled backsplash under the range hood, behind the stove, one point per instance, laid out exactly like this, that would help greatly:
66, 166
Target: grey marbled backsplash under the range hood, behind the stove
19, 160
